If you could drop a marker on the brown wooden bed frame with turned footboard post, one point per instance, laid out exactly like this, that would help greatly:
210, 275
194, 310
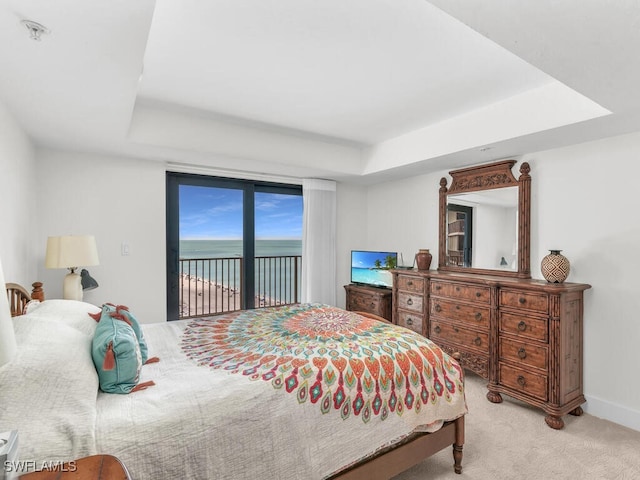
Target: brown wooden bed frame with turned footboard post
382, 465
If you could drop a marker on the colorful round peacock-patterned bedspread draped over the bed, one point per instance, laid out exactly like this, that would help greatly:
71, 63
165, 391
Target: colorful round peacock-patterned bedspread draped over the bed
338, 360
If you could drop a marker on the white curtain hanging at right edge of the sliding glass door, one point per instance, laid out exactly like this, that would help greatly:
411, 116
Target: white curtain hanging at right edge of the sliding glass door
319, 241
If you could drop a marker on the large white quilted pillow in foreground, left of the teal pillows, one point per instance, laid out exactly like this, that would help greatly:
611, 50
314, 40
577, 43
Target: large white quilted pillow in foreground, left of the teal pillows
49, 391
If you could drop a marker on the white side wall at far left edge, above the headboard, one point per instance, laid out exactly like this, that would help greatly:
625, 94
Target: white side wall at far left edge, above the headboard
17, 202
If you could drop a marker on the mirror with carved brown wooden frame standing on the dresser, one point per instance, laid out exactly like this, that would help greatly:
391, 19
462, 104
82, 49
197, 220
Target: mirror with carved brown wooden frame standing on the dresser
484, 220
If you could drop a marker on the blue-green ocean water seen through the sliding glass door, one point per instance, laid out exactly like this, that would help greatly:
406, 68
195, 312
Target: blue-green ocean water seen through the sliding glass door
273, 277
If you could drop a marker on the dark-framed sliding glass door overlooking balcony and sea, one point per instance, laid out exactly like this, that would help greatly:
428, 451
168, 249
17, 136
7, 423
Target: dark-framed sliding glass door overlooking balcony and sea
231, 244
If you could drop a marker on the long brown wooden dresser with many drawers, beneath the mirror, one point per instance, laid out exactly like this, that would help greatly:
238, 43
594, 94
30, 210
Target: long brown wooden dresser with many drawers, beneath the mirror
524, 336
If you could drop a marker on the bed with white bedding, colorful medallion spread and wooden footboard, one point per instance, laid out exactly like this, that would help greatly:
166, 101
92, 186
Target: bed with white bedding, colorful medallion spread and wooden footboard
302, 391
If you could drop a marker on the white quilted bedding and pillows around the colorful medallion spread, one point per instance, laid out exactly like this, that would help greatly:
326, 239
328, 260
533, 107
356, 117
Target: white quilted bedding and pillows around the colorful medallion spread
195, 422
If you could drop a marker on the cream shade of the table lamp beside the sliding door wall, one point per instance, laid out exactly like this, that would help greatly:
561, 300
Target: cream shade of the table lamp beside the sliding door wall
71, 251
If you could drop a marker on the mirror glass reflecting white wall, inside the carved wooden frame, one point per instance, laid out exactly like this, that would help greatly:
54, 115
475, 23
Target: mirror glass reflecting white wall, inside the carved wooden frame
482, 229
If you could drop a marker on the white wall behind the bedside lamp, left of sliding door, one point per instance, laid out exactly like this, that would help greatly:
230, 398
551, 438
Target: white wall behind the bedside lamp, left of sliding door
117, 200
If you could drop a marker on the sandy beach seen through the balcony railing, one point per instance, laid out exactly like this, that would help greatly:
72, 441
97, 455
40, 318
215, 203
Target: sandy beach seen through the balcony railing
202, 297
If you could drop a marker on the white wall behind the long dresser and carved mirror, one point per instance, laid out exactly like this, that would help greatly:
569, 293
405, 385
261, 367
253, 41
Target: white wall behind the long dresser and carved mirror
584, 202
